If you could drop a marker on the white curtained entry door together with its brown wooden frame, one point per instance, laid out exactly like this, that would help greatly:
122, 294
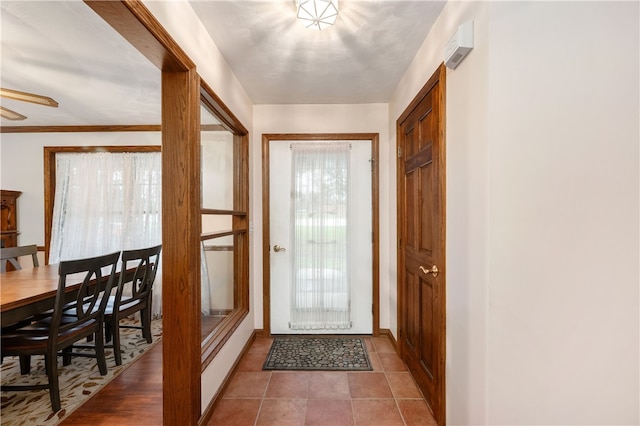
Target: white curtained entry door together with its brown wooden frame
292, 265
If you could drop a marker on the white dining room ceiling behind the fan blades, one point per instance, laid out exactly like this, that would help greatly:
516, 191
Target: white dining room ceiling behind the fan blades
63, 50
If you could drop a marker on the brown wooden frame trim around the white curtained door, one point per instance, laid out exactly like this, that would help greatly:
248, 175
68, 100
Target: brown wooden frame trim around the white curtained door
375, 219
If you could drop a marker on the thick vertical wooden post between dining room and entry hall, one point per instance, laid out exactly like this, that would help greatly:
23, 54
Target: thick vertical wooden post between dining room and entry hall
181, 239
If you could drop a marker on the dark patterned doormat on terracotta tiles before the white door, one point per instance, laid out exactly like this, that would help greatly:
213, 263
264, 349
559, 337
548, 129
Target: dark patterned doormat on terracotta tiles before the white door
318, 353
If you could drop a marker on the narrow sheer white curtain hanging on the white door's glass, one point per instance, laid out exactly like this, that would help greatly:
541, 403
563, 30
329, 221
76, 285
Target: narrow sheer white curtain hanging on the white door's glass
320, 288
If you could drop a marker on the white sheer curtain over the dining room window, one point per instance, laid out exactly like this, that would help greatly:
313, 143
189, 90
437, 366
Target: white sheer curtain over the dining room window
107, 202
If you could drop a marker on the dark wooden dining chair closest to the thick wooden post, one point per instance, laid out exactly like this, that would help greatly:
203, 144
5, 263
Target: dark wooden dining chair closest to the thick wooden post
133, 294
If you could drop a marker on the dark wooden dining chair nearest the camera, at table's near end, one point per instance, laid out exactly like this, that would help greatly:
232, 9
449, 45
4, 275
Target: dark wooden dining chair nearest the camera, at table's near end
68, 323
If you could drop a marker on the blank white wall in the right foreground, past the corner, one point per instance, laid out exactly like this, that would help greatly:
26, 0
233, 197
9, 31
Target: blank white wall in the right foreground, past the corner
563, 196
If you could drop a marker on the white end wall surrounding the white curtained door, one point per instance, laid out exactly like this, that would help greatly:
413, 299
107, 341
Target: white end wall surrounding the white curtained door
361, 118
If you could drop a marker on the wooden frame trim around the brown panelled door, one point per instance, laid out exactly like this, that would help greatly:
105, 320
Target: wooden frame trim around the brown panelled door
438, 77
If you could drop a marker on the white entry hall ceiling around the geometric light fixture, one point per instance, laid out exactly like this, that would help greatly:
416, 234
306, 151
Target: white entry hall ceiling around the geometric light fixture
359, 60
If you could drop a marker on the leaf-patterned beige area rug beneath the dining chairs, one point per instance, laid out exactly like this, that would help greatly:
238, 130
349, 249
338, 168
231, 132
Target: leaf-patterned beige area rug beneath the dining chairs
78, 381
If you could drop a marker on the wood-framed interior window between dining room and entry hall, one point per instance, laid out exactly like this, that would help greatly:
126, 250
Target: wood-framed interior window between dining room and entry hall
224, 219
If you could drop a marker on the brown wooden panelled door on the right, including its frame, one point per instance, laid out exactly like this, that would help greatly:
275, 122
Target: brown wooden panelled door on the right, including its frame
421, 232
